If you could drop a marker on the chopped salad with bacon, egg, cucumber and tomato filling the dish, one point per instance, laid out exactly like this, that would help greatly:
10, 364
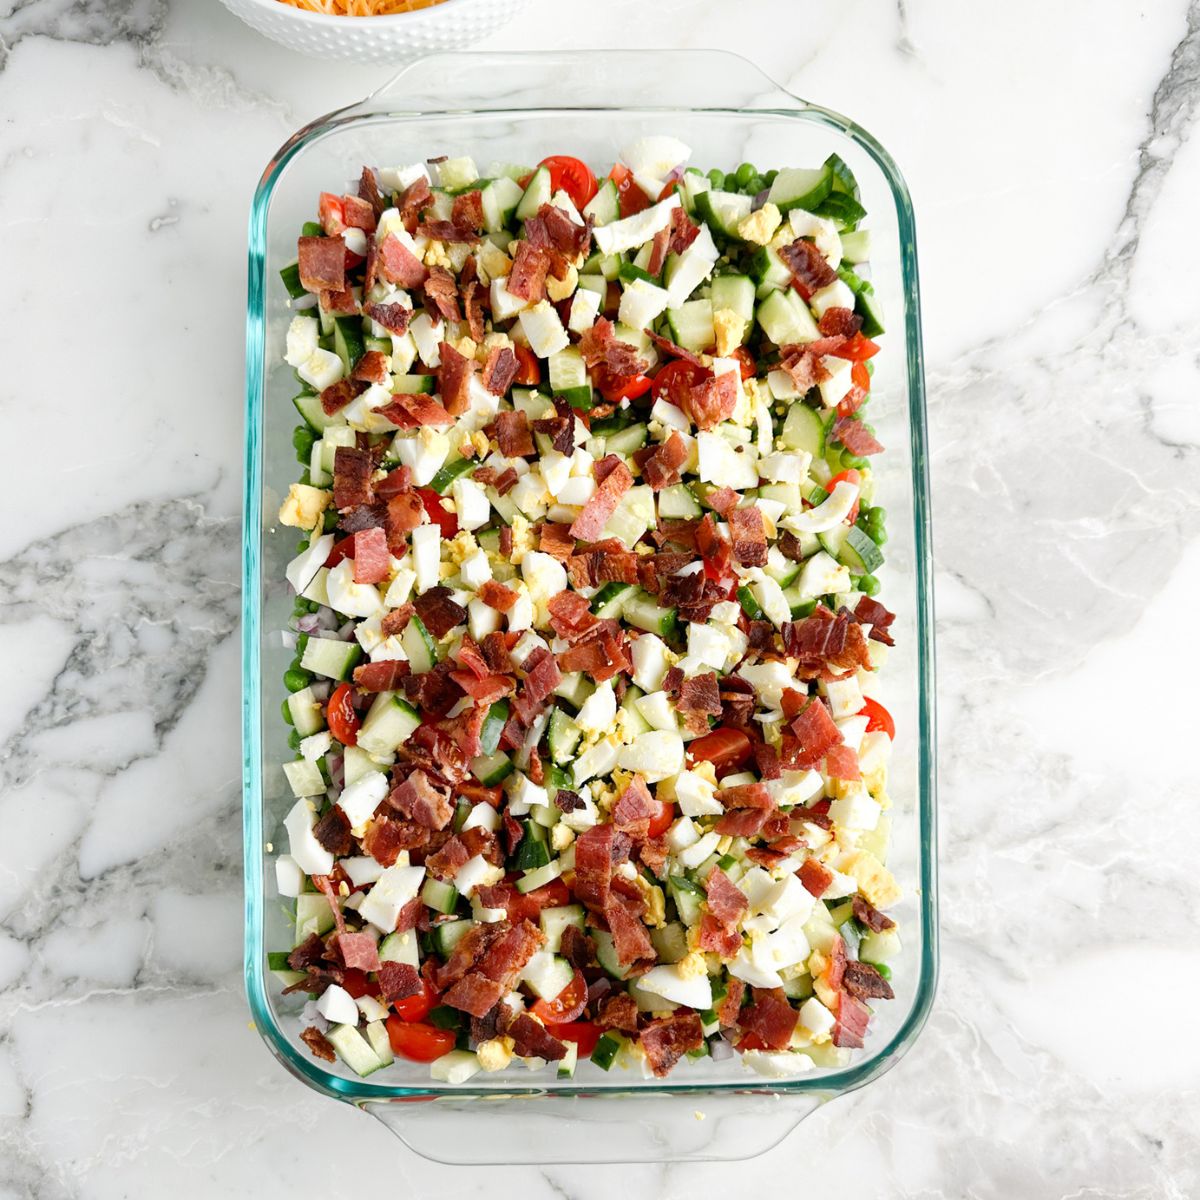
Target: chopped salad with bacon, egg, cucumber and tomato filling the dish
587, 764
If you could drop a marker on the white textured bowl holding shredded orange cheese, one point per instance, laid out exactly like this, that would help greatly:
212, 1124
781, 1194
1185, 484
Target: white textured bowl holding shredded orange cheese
446, 27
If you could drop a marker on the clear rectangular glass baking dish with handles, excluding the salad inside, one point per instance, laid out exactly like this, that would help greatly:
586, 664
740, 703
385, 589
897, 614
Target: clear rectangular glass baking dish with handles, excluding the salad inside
519, 109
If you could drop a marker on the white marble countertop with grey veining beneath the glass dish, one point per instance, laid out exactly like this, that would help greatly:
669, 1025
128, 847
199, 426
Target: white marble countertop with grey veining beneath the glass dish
1049, 151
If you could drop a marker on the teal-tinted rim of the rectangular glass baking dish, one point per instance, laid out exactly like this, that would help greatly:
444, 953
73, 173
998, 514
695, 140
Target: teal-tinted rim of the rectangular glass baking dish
361, 1091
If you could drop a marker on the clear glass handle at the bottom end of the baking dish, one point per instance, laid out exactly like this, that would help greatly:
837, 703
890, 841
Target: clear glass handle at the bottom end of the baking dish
639, 1129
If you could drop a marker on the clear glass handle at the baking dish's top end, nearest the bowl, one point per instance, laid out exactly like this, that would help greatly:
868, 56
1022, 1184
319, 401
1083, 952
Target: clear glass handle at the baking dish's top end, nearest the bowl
645, 80
